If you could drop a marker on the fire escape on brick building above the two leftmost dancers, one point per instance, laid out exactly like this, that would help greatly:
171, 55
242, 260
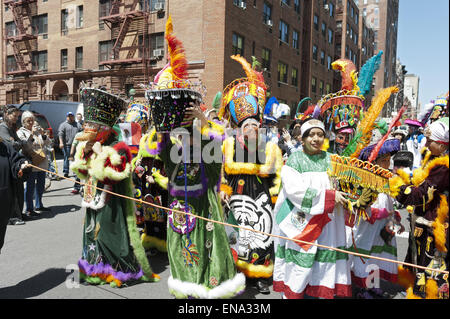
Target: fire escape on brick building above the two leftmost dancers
126, 35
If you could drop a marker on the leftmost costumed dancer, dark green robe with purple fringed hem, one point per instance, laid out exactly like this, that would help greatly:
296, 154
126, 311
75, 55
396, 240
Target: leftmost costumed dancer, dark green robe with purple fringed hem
112, 252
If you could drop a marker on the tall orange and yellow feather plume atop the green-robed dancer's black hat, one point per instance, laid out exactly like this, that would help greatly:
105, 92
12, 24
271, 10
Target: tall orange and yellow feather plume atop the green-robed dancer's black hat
176, 69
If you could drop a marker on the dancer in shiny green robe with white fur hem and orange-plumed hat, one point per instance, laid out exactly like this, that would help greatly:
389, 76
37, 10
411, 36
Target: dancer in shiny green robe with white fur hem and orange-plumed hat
201, 263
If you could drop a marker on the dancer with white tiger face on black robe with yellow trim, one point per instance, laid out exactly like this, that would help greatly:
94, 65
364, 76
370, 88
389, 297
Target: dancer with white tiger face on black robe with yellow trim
251, 178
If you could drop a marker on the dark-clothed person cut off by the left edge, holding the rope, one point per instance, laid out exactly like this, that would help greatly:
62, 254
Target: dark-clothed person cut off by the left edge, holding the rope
12, 165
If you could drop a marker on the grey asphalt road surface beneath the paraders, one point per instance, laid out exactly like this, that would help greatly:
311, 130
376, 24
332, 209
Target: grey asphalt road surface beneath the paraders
39, 258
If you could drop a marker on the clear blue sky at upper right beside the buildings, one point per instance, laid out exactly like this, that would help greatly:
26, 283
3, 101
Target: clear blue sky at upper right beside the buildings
423, 44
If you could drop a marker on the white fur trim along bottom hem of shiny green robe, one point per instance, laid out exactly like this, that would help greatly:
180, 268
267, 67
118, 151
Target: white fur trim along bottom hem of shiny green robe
227, 289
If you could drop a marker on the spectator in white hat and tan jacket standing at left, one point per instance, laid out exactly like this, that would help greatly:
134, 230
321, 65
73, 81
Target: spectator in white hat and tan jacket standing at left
32, 133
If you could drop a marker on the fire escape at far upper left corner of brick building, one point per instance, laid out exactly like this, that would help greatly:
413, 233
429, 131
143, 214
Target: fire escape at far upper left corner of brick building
20, 39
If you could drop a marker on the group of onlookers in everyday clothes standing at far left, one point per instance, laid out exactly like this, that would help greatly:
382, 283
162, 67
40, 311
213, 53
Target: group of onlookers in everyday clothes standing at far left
22, 132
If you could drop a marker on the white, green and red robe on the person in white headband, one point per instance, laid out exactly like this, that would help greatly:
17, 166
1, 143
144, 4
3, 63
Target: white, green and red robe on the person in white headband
305, 210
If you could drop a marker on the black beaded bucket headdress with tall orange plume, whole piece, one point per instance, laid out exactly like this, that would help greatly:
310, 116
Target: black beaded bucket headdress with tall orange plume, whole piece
171, 92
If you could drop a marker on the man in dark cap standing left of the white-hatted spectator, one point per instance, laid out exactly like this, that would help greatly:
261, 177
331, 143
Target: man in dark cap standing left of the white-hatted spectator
8, 129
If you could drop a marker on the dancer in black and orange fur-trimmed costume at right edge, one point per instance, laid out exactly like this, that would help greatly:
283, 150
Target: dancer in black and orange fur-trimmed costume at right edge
426, 193
